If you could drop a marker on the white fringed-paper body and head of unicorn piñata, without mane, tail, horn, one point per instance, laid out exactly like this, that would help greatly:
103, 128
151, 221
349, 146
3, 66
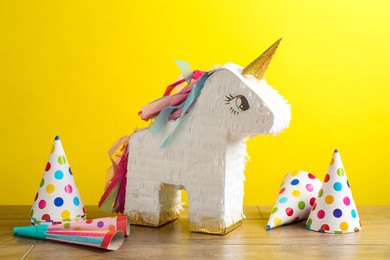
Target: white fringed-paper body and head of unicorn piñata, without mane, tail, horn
206, 155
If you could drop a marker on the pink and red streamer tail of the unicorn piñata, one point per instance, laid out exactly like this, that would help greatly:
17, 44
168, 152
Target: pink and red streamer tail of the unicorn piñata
113, 198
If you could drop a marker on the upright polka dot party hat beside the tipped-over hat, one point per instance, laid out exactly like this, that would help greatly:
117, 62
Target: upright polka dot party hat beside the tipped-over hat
334, 210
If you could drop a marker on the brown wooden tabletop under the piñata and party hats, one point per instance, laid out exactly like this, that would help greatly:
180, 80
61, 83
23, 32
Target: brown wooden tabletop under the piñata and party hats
174, 241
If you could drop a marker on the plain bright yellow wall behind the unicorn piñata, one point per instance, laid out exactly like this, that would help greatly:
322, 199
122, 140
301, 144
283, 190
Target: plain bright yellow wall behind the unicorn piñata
83, 69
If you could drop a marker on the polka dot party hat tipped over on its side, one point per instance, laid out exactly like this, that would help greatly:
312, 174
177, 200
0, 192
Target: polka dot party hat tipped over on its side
296, 197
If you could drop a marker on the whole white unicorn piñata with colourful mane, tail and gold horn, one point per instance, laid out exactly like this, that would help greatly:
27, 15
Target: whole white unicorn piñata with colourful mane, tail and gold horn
197, 142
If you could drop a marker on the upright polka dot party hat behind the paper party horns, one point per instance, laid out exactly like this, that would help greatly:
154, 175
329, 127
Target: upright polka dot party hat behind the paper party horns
58, 199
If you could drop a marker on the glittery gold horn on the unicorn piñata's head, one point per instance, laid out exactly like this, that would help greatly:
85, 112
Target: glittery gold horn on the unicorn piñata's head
258, 67
